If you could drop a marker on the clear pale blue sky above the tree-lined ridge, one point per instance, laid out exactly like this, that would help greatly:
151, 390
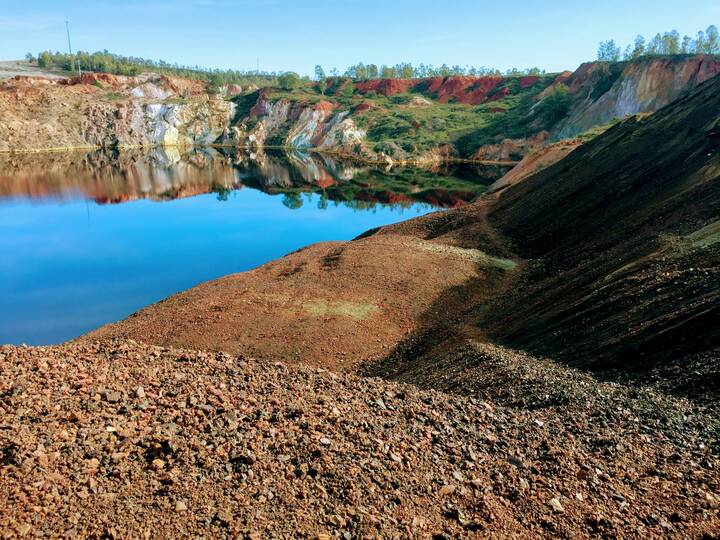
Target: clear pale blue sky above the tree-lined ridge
297, 34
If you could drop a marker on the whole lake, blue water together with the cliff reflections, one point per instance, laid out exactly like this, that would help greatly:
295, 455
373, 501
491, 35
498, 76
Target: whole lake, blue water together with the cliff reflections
89, 238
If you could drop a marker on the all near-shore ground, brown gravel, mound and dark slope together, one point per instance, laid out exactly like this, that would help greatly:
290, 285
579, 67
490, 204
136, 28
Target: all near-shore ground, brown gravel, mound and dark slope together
604, 267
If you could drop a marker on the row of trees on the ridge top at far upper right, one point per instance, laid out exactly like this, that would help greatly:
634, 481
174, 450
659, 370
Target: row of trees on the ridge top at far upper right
666, 44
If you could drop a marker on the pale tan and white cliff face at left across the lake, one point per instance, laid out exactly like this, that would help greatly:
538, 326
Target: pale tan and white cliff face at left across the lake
105, 110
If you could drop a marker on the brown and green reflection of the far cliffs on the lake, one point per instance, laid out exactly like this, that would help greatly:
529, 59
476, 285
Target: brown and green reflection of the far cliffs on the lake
165, 174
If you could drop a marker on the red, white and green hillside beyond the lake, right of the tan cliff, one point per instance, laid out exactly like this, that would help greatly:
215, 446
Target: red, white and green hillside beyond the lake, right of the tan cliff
489, 117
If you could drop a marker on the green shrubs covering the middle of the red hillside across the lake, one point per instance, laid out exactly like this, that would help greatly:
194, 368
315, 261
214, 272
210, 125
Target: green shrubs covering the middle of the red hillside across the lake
399, 128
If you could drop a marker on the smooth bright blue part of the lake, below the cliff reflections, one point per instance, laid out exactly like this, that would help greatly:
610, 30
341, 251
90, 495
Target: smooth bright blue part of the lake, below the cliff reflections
68, 267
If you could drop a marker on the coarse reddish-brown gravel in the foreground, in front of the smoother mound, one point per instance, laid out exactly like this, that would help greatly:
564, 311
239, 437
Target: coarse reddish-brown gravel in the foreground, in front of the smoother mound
118, 439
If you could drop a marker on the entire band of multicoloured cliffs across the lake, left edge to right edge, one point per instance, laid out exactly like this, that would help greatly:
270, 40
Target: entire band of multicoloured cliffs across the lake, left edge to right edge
421, 121
